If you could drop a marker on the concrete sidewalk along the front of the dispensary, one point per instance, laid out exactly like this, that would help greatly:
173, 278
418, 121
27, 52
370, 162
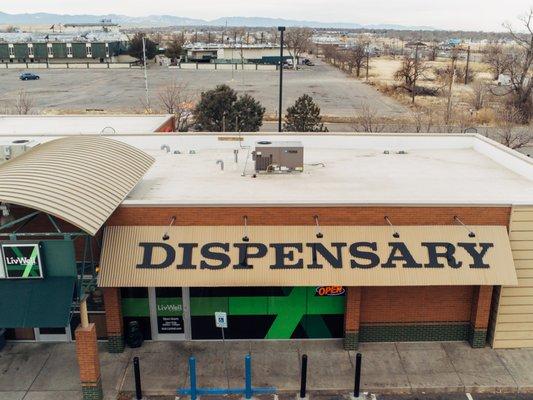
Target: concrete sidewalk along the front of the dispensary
49, 371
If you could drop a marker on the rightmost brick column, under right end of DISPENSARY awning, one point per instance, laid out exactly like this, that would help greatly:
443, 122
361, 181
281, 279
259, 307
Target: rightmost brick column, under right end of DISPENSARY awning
479, 318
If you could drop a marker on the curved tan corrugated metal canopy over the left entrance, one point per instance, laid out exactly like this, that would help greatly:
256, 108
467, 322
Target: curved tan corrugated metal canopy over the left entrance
80, 179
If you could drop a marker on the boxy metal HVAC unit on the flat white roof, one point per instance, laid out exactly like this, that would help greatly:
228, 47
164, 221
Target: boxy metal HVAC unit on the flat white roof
278, 156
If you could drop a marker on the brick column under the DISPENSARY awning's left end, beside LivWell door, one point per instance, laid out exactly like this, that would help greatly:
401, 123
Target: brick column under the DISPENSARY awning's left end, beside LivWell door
114, 322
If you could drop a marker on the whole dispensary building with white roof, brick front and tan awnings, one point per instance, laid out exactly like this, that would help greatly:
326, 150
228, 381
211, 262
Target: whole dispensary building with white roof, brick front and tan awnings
368, 238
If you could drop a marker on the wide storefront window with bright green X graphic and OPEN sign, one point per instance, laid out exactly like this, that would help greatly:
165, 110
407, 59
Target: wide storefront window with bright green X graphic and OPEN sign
268, 313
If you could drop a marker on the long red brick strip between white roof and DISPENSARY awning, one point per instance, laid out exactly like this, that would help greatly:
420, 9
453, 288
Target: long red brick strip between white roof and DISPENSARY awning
219, 216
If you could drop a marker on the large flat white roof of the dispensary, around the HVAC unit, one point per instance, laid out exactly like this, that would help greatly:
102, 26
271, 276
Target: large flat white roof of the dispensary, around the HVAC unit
340, 169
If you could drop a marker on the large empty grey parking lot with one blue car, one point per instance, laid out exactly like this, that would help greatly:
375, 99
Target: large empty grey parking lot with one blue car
76, 90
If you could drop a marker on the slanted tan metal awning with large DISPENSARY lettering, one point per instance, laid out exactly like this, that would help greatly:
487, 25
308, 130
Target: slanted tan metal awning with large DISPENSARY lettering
134, 256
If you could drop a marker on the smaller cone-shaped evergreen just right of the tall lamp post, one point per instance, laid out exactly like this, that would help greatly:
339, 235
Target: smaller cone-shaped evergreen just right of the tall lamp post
304, 116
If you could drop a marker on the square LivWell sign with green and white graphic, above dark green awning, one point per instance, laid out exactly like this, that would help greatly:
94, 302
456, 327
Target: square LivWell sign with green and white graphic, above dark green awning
22, 261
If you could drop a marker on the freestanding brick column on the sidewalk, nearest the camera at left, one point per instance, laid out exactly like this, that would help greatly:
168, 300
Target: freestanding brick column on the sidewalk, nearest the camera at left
89, 362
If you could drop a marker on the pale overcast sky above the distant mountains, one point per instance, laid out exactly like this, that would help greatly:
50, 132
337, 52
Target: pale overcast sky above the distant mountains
445, 14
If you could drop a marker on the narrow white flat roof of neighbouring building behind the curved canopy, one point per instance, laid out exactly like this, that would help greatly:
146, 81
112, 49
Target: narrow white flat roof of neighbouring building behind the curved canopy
66, 125
